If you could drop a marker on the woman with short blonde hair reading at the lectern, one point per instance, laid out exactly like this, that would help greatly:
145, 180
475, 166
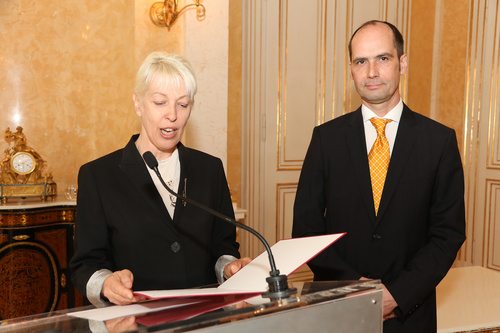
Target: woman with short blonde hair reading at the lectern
130, 232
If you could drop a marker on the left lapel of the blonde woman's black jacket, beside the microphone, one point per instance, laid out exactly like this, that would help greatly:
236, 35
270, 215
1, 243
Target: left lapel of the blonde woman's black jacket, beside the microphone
136, 170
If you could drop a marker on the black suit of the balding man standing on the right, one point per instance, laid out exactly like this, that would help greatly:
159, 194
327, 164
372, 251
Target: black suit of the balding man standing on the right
411, 244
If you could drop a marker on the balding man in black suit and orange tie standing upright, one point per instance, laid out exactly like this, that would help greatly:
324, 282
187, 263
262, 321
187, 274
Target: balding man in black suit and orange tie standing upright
408, 232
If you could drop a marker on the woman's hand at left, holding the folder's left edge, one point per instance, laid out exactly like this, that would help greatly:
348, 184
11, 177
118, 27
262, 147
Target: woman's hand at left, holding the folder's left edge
117, 288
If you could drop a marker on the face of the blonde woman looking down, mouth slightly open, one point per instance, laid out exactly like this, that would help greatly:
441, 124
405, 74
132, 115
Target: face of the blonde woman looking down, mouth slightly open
164, 110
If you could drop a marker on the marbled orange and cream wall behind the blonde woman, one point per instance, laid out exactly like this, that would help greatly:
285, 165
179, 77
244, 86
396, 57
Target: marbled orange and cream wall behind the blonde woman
68, 70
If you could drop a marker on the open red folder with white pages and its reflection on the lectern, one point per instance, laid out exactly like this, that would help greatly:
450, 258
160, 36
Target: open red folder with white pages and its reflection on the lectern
289, 255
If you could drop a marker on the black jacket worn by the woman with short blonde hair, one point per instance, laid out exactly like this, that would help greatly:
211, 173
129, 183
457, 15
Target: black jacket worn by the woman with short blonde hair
122, 222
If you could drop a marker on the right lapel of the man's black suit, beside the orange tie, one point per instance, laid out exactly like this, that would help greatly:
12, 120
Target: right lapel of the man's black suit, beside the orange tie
406, 138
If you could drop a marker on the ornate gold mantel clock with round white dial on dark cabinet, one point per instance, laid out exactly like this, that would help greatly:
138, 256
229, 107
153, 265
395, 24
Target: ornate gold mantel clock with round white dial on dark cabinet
21, 170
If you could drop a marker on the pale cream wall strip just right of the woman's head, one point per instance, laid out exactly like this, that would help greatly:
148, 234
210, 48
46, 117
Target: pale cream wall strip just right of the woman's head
206, 47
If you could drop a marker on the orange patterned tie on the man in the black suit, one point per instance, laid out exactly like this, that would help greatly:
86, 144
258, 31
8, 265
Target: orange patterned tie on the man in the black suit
378, 159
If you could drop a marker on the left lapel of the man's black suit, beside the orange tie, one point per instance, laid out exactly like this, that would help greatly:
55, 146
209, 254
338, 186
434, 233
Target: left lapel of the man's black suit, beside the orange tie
355, 140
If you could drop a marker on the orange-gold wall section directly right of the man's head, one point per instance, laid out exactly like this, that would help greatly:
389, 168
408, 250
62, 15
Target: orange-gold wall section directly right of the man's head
438, 60
